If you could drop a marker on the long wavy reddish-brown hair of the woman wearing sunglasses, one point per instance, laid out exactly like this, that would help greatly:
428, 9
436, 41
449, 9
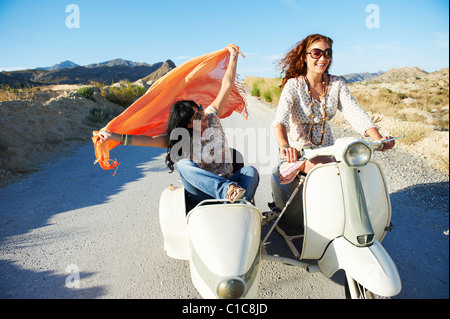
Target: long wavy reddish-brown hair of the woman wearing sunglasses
293, 64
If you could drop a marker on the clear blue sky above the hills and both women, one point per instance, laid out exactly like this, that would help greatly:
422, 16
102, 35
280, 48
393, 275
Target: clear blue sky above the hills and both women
410, 33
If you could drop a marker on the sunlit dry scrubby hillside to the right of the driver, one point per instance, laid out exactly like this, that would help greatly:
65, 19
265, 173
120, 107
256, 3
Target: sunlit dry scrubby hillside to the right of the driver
413, 102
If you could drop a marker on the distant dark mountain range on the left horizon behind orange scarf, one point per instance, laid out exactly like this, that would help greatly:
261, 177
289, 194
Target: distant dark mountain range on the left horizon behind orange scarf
68, 72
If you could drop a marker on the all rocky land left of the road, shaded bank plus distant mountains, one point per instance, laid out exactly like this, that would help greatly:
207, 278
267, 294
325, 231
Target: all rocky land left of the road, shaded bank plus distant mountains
41, 122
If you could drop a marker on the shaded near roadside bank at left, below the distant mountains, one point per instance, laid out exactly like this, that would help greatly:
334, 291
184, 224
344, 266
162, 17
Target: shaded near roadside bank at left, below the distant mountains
35, 130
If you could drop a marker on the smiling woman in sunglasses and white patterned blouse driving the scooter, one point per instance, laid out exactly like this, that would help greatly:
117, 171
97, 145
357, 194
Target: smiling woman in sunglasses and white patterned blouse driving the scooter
310, 98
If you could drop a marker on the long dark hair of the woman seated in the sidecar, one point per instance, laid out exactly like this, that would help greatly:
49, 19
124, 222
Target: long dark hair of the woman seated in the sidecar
180, 116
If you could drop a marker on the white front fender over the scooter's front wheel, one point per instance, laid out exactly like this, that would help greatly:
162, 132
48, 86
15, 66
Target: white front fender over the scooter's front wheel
371, 266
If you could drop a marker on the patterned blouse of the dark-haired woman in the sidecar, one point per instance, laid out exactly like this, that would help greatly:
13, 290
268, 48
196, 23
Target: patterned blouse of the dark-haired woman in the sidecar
213, 153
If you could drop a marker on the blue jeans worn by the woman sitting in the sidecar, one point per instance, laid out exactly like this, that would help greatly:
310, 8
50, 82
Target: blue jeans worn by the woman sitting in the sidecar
201, 184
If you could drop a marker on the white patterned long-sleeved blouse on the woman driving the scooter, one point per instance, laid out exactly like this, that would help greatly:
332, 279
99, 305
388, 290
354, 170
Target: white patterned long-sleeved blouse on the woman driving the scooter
294, 112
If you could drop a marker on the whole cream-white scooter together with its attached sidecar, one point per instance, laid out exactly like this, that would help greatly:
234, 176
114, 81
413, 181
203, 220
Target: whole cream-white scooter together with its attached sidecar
338, 219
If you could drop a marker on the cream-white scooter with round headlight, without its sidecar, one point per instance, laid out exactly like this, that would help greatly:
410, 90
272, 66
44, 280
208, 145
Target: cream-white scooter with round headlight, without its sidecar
339, 218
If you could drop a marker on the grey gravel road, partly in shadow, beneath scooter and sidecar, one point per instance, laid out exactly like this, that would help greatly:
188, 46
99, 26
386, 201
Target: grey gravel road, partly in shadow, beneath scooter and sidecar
72, 230
